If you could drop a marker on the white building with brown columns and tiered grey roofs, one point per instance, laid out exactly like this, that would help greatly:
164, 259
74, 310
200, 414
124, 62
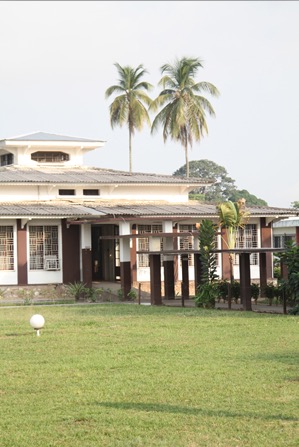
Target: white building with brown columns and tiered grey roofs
61, 221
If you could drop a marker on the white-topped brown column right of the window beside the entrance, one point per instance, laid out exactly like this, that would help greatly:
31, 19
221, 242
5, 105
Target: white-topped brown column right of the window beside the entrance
168, 263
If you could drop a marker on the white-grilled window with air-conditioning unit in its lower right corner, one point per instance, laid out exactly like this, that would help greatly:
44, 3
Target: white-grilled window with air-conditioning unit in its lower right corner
43, 247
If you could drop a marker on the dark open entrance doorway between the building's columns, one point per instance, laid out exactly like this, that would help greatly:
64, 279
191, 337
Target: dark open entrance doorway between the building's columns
105, 253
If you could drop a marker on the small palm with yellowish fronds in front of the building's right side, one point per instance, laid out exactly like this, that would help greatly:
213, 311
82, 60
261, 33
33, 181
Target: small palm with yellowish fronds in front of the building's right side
233, 217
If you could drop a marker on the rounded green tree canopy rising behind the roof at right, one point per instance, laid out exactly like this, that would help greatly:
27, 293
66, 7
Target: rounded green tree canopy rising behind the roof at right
224, 187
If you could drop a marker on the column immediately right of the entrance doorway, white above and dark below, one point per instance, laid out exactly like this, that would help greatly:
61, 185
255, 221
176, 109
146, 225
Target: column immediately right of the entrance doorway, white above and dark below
125, 259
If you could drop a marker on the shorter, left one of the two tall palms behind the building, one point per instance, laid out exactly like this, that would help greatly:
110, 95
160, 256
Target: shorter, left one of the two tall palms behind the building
128, 107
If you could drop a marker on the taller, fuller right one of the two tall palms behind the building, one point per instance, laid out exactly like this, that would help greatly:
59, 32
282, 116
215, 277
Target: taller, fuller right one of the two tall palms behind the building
183, 116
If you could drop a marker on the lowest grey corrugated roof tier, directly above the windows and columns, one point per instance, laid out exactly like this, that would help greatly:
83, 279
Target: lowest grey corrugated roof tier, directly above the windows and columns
100, 209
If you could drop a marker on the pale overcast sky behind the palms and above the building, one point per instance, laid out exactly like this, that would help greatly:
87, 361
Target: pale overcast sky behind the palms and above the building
57, 60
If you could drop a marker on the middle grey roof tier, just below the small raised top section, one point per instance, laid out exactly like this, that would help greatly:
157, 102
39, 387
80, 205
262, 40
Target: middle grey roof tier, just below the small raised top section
85, 175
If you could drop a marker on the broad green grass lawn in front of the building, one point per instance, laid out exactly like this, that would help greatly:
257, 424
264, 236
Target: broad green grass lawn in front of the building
128, 375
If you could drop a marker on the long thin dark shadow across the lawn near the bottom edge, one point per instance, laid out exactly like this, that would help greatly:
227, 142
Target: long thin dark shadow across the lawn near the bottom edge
176, 409
